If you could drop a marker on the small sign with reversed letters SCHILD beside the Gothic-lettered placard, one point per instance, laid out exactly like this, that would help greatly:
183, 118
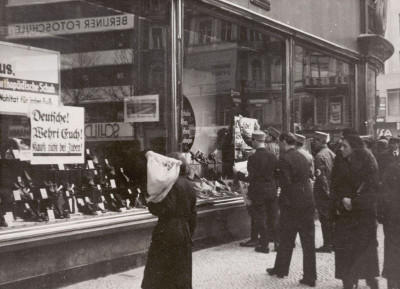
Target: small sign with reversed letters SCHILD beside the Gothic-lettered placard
112, 131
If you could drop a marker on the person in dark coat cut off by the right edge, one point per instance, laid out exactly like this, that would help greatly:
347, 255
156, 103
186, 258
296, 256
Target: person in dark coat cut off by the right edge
389, 212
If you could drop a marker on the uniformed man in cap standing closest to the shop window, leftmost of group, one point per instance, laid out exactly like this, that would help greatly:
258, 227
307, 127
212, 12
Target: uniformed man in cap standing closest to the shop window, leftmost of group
262, 191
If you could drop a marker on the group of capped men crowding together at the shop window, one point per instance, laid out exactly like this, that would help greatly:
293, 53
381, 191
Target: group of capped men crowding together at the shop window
278, 220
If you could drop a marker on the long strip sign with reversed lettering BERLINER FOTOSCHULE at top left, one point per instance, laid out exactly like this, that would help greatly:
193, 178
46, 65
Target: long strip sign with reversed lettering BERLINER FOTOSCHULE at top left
70, 26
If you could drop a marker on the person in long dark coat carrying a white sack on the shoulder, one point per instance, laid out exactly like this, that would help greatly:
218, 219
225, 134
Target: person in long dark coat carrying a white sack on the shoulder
169, 260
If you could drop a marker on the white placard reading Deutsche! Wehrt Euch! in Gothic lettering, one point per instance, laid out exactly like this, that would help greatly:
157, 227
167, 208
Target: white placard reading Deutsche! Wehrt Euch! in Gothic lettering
57, 135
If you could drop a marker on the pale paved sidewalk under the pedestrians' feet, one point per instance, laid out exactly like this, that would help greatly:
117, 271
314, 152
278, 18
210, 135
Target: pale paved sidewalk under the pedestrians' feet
230, 266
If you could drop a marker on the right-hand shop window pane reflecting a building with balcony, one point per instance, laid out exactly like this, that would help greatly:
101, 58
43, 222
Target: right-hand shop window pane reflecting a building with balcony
323, 91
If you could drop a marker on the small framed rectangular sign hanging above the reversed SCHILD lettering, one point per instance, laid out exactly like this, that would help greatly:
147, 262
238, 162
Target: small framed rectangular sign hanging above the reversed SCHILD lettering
144, 108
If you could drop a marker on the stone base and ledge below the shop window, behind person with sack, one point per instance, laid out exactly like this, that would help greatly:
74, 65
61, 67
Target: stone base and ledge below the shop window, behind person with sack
66, 251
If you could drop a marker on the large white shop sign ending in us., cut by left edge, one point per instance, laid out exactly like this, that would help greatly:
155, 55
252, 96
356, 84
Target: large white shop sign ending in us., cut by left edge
28, 76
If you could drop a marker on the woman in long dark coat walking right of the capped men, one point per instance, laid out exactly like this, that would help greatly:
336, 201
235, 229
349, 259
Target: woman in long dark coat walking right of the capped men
355, 240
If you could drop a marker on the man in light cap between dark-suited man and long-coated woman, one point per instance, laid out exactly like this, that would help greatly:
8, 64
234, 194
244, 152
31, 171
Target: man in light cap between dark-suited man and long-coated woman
323, 164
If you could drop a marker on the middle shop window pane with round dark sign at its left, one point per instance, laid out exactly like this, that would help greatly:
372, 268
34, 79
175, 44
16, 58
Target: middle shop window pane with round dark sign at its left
229, 70
